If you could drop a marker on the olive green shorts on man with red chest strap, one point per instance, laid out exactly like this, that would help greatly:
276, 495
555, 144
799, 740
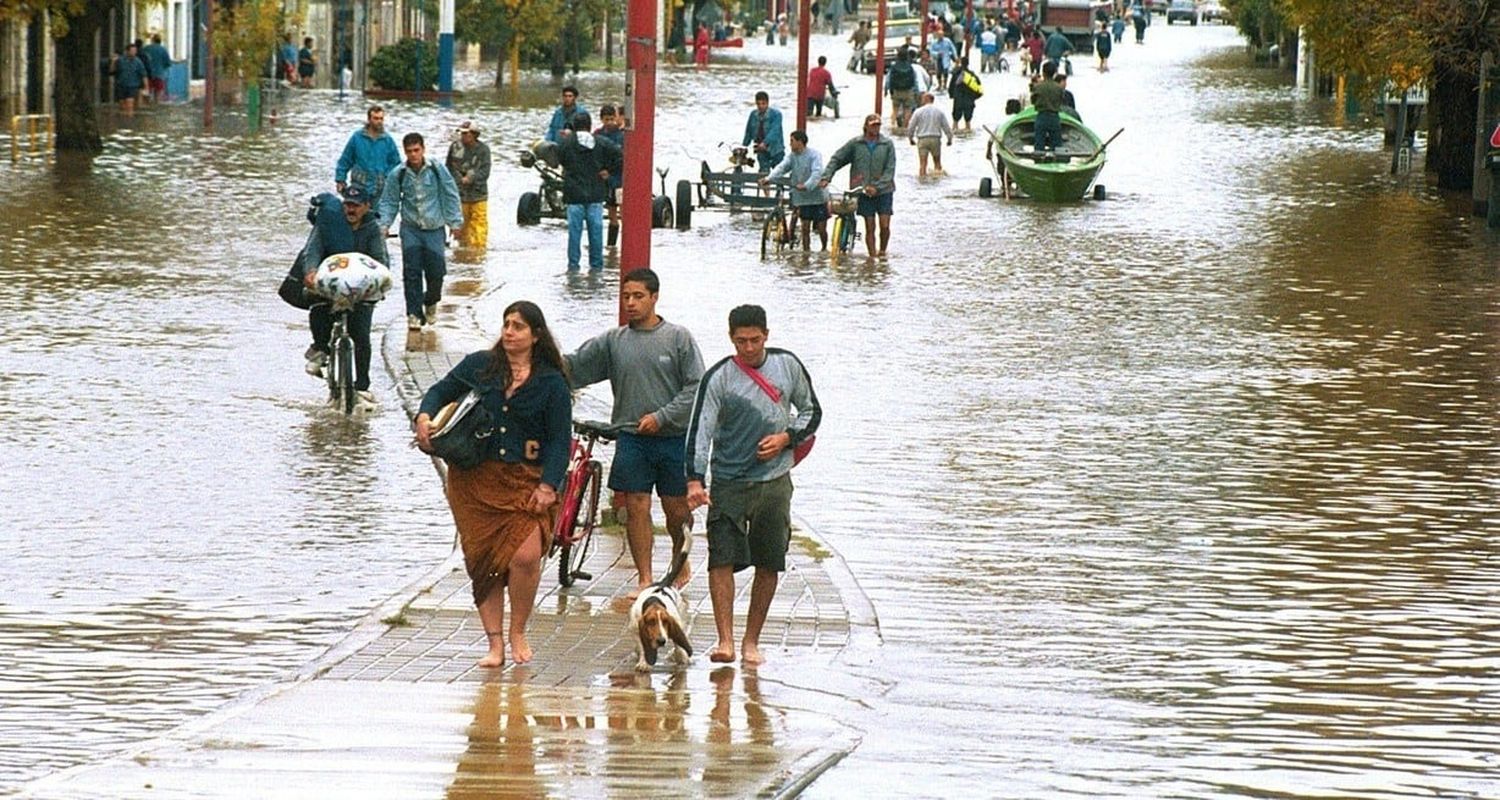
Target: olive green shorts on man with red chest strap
751, 525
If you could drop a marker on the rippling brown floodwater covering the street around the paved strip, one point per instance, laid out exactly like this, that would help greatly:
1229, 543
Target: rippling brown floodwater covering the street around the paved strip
1190, 493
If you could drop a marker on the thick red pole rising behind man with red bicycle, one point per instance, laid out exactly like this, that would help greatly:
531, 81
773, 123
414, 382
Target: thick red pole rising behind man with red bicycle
635, 208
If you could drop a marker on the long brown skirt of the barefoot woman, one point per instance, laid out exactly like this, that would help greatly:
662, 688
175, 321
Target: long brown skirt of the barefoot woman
490, 508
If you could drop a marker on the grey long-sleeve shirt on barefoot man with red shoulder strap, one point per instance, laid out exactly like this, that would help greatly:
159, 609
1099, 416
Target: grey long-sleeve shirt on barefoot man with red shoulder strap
733, 415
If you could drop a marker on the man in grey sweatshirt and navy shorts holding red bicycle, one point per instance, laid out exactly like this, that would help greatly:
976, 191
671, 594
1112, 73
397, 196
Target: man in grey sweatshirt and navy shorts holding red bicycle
653, 368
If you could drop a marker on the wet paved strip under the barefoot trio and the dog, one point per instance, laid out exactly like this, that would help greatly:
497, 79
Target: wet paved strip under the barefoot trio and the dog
400, 711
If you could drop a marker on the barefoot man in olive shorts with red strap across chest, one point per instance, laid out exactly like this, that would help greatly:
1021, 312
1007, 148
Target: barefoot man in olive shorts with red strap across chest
752, 411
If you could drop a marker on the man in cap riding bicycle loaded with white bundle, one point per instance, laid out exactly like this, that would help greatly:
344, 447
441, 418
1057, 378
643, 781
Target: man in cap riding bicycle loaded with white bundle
355, 230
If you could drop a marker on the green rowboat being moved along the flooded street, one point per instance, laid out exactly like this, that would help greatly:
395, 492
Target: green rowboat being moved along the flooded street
1054, 176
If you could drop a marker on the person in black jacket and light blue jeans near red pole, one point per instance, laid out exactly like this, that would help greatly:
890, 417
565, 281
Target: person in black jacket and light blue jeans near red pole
587, 166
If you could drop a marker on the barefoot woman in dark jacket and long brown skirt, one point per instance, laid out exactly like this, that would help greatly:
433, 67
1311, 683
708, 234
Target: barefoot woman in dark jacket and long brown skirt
503, 507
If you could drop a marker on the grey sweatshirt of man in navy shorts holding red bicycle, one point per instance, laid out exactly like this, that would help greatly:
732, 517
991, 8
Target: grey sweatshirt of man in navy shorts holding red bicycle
650, 371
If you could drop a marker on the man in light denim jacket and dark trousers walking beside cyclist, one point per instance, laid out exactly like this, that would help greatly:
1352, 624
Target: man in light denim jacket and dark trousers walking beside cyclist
422, 193
